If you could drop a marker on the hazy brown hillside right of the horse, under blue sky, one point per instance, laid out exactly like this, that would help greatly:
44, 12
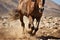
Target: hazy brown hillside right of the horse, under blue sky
51, 9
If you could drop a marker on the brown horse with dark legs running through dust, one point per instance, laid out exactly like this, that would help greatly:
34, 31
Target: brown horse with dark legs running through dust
33, 9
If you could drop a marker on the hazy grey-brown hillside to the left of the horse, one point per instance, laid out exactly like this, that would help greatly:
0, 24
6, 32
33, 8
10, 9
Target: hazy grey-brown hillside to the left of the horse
7, 5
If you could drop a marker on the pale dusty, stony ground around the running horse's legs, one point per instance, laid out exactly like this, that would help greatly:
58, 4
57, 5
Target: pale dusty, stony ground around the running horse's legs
11, 29
